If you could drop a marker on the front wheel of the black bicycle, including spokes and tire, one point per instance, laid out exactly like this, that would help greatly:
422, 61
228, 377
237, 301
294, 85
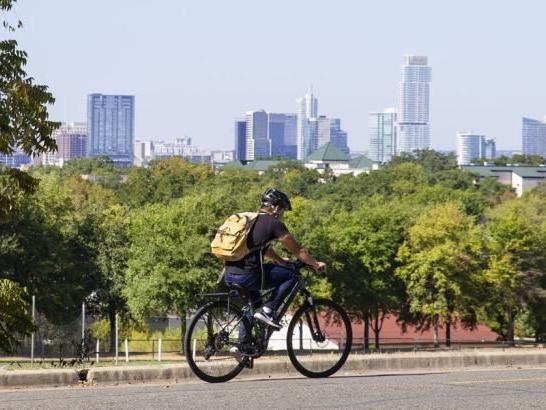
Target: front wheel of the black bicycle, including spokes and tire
319, 338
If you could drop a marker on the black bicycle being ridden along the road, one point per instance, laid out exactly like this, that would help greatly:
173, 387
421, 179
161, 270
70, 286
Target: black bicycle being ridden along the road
214, 331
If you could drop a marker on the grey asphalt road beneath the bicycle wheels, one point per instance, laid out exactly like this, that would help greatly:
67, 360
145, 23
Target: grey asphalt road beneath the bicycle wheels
501, 389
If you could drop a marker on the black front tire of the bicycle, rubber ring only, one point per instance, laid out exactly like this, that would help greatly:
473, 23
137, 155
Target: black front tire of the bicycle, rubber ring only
298, 364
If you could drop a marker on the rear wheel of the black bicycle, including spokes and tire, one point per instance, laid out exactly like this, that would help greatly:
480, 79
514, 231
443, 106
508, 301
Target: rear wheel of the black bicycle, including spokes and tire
212, 332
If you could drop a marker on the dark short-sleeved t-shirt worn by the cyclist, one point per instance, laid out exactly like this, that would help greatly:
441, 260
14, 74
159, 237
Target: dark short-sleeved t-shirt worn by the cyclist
267, 228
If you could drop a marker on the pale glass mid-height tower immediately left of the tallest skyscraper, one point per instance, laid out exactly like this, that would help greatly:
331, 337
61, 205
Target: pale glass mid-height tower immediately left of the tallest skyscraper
382, 132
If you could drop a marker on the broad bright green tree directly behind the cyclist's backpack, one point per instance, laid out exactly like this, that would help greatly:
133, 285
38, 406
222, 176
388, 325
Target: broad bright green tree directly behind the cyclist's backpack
169, 257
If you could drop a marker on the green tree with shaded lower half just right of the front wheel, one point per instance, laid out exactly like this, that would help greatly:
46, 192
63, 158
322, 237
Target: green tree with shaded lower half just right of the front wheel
364, 244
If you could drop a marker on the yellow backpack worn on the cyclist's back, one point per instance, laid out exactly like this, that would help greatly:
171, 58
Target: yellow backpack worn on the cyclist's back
229, 243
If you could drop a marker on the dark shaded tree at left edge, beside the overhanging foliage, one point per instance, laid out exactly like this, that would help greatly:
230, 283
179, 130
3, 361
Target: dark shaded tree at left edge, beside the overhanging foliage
43, 248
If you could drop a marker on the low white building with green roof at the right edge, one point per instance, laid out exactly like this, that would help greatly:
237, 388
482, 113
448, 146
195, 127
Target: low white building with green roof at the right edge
521, 178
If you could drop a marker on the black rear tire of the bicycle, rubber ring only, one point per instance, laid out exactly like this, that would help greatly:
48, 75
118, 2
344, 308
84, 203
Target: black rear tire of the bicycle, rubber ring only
188, 351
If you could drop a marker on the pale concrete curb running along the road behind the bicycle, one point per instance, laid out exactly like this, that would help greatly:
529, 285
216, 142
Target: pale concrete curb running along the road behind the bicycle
268, 368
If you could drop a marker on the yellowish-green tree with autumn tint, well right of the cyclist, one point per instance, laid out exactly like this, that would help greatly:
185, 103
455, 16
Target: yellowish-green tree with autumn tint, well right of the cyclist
440, 266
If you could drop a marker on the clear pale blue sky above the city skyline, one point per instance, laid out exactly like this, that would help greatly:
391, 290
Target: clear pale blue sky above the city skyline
195, 66
